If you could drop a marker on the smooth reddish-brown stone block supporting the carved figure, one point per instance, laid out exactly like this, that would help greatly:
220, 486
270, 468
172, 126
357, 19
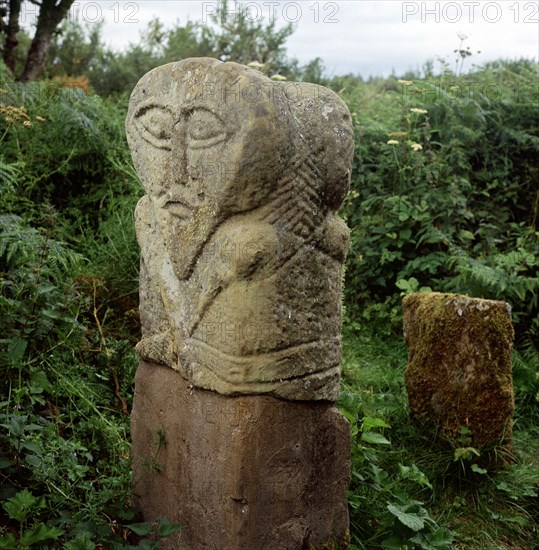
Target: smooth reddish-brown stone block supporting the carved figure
242, 473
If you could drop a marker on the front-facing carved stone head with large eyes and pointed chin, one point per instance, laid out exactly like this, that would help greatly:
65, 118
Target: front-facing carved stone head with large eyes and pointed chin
195, 129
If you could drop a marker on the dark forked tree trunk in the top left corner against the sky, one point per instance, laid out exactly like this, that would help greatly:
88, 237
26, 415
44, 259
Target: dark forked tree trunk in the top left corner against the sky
51, 14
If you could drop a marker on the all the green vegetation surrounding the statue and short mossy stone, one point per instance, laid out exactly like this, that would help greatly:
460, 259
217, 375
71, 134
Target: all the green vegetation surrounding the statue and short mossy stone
444, 196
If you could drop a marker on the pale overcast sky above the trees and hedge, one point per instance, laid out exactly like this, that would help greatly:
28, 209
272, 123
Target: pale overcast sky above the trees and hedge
366, 37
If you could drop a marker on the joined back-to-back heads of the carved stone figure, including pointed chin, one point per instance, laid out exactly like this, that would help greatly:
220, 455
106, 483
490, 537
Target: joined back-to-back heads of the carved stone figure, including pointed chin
212, 139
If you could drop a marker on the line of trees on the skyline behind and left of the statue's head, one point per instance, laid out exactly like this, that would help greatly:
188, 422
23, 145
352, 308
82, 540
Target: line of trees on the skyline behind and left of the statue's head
77, 50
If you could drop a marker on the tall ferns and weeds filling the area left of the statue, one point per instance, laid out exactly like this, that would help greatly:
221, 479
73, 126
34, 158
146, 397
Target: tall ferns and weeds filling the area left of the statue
66, 355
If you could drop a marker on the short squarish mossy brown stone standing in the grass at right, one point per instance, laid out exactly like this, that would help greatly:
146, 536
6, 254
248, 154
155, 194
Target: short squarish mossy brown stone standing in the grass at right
459, 366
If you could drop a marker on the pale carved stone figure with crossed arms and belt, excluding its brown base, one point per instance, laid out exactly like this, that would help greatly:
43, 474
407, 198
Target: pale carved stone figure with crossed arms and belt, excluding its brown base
241, 247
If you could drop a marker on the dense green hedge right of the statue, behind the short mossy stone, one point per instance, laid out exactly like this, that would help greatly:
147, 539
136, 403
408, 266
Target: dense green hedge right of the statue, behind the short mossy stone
444, 191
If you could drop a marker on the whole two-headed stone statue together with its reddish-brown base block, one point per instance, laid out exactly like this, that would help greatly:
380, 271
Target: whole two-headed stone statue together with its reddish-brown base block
241, 262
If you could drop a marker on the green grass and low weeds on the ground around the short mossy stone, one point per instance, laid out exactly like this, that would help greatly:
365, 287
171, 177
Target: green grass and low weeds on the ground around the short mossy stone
494, 510
